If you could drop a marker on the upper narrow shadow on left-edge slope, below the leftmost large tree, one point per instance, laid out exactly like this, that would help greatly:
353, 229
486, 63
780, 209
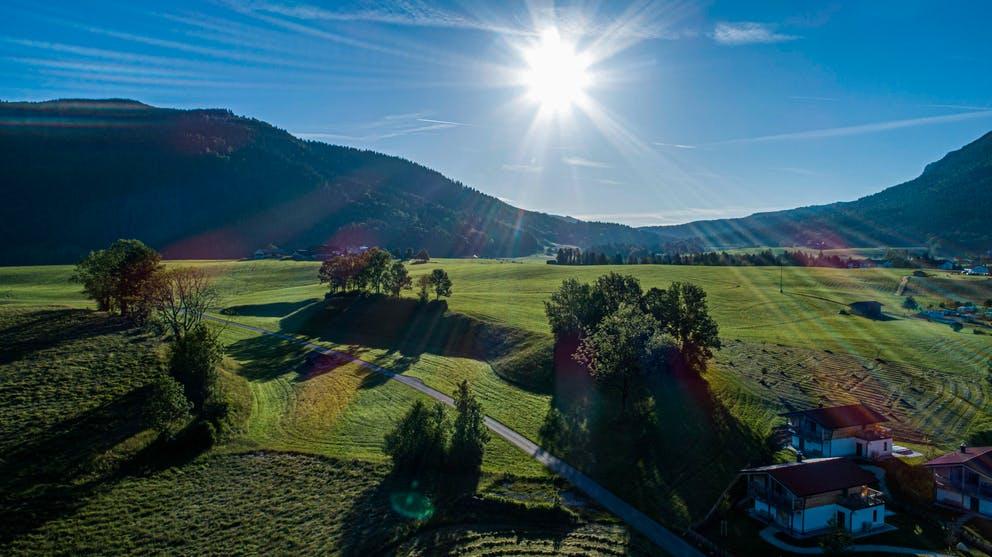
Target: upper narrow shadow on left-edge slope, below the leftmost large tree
45, 329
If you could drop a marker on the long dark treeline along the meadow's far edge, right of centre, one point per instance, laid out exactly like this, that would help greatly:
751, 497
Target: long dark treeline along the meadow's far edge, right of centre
798, 258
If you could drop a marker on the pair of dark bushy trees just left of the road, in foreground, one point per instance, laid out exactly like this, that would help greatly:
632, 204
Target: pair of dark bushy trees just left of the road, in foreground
426, 440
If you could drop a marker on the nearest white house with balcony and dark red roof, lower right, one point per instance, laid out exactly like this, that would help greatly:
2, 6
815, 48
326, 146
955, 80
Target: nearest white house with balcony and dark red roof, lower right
810, 497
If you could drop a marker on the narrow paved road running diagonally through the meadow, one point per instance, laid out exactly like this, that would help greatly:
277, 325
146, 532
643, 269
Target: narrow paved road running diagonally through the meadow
639, 521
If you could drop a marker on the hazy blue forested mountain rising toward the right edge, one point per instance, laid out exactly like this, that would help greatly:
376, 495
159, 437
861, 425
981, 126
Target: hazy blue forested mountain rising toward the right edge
950, 202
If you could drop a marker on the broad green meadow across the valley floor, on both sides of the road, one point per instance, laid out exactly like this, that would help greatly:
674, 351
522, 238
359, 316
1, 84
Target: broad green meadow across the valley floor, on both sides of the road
788, 342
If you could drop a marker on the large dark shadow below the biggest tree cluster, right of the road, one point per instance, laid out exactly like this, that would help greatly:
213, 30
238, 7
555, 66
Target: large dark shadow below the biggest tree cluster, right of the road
673, 453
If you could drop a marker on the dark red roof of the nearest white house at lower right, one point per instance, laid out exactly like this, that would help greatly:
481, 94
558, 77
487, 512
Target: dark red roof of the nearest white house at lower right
817, 475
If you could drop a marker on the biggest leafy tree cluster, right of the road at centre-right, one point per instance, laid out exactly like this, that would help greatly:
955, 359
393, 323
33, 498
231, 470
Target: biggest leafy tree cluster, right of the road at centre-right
624, 332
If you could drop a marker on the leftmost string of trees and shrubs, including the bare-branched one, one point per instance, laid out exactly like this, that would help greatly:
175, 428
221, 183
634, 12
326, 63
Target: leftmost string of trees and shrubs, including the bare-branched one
129, 279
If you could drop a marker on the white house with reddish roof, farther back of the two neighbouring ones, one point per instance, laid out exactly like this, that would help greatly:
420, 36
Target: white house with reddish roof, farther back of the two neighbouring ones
851, 430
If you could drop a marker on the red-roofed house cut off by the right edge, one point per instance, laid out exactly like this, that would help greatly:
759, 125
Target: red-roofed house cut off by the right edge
963, 479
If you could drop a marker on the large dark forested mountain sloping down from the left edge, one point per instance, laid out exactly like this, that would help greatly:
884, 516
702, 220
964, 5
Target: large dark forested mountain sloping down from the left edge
78, 174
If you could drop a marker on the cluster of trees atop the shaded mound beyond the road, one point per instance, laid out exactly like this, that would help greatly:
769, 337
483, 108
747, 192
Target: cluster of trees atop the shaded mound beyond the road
375, 271
